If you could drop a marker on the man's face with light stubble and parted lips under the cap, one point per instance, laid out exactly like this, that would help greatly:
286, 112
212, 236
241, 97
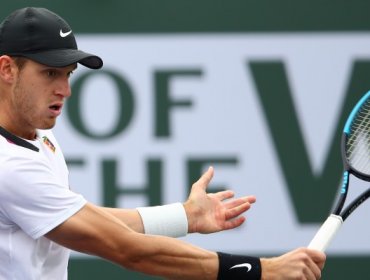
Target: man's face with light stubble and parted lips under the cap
38, 95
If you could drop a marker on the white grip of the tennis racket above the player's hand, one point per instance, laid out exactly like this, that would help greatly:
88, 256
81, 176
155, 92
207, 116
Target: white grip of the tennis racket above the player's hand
326, 233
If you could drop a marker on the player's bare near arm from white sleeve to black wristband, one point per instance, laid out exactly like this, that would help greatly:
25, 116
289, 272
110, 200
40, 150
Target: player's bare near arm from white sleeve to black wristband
96, 232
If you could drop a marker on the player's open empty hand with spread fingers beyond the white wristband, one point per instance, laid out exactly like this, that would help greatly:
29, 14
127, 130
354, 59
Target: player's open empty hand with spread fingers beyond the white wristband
209, 213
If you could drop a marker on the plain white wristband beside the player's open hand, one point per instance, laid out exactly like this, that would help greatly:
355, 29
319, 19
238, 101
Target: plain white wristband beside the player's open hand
168, 220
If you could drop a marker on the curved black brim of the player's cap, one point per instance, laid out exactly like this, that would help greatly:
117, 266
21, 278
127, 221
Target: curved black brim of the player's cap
62, 58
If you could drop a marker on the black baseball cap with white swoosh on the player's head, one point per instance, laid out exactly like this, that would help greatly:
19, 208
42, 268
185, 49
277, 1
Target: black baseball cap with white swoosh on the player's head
42, 36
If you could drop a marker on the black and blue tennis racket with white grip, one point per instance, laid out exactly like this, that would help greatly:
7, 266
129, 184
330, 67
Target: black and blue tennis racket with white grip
355, 149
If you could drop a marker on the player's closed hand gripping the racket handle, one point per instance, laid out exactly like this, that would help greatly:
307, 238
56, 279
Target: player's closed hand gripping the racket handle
302, 264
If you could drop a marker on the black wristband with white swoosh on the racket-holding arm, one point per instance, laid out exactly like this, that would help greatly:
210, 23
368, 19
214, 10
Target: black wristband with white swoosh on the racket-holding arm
238, 267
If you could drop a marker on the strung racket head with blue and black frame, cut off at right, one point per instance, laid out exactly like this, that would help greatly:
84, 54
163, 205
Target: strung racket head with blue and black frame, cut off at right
356, 140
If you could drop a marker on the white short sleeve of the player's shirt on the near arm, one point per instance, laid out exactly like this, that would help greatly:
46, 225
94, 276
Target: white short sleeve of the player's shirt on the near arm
32, 198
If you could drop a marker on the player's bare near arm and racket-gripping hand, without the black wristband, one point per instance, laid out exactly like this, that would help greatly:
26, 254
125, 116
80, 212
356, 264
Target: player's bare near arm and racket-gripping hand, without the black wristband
96, 232
